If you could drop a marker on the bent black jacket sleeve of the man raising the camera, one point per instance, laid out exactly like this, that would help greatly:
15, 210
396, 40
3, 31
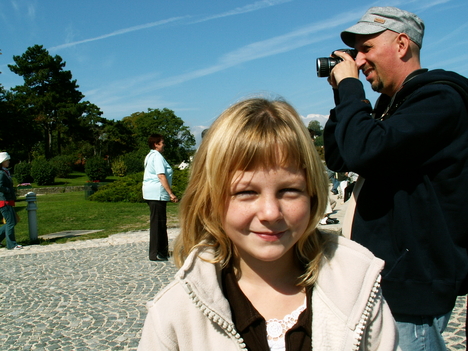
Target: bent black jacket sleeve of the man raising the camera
424, 123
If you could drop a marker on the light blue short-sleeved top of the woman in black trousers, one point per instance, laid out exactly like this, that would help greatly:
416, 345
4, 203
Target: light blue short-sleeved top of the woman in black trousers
152, 188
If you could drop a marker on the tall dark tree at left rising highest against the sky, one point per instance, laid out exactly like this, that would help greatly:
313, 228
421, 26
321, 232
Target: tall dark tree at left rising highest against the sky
48, 95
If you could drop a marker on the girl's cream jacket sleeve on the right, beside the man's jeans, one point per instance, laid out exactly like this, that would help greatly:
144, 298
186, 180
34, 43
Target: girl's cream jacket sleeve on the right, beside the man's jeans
381, 333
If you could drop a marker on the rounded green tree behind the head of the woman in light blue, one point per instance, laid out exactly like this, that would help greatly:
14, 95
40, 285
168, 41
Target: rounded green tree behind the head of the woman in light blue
177, 137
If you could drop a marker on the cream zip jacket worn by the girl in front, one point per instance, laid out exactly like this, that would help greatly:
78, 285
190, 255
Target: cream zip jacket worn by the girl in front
348, 310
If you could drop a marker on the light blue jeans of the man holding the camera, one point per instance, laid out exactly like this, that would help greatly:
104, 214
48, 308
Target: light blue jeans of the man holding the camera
422, 333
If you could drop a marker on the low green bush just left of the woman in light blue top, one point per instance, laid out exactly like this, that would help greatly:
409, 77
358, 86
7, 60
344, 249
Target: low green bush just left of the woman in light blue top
127, 189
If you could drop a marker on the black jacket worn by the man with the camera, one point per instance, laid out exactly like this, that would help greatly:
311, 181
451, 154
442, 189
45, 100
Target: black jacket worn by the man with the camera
413, 208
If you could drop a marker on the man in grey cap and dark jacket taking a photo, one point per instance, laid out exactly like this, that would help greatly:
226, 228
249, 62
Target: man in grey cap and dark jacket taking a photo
411, 152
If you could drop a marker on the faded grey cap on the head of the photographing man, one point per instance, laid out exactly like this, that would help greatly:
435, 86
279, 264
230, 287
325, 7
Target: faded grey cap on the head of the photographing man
379, 19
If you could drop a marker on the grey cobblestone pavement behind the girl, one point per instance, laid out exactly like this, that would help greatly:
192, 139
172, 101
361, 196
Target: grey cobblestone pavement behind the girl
91, 295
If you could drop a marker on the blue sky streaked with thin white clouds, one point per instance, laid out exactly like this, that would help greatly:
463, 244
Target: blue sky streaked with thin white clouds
198, 57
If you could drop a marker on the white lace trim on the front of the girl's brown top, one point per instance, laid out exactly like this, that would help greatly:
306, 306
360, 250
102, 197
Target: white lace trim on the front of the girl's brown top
277, 328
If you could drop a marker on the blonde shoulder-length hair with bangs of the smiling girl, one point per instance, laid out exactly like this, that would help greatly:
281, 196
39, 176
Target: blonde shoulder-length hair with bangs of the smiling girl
252, 133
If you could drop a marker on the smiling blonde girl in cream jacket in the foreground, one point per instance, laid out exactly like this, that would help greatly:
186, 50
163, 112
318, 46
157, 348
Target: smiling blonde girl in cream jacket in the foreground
255, 273
